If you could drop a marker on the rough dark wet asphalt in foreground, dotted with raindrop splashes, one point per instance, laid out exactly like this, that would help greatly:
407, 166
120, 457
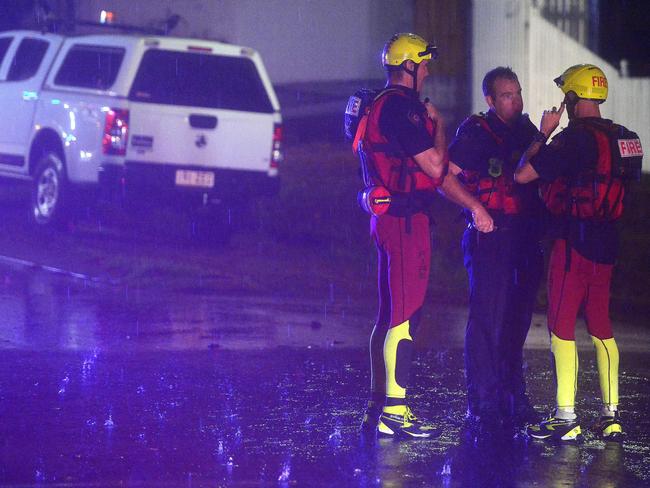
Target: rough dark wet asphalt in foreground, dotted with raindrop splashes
256, 417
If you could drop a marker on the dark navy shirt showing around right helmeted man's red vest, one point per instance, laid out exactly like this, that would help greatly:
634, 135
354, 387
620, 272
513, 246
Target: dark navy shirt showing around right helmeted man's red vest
572, 151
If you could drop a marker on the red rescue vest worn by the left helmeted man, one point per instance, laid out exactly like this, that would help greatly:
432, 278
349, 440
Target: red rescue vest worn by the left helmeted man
385, 164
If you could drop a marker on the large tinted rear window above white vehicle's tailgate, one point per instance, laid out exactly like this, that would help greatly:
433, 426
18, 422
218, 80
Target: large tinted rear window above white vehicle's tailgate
200, 80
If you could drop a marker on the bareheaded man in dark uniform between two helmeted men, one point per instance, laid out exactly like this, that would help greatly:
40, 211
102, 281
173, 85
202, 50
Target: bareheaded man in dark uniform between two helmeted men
504, 267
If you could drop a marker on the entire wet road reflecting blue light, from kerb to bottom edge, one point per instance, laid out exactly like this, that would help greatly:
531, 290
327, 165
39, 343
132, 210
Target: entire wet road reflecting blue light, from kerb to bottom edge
102, 384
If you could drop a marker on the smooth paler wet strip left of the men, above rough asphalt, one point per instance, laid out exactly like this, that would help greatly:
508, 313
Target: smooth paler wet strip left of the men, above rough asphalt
45, 311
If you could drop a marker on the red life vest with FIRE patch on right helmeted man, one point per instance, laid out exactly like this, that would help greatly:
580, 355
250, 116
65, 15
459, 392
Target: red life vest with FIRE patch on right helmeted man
597, 193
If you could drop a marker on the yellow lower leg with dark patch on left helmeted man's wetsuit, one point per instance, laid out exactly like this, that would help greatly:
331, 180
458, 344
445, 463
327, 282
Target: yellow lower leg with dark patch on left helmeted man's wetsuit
397, 357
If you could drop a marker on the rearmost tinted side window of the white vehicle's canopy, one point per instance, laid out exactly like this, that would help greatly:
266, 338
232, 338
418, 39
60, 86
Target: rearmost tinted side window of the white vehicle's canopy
88, 66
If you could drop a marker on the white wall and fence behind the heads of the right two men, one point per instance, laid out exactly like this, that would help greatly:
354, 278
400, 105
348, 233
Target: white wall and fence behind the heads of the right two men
512, 32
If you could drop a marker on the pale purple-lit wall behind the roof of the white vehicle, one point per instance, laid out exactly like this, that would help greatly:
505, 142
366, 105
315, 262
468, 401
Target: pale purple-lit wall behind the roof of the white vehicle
299, 40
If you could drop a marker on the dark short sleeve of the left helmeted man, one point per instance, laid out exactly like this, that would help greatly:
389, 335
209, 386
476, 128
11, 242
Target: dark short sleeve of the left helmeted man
401, 121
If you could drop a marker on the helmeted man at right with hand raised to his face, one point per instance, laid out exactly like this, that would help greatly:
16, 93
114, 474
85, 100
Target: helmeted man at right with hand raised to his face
587, 165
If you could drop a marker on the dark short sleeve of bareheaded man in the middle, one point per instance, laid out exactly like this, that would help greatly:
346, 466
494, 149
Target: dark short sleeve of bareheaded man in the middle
470, 147
